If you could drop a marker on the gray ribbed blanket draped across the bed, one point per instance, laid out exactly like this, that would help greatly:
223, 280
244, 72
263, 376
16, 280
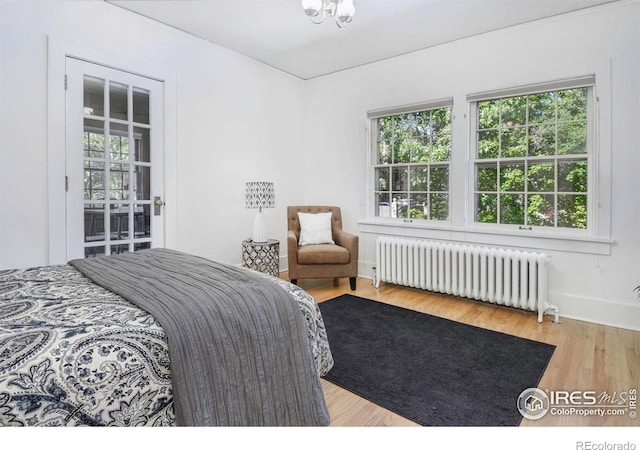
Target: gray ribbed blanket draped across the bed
238, 346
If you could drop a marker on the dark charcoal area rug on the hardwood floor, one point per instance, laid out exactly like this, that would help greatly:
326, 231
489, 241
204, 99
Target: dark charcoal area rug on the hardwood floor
433, 371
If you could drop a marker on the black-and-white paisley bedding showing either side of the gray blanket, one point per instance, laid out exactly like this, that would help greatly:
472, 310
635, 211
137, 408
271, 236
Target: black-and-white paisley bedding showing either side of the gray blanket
73, 353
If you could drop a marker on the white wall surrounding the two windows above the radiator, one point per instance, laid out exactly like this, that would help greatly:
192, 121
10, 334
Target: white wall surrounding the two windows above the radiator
588, 280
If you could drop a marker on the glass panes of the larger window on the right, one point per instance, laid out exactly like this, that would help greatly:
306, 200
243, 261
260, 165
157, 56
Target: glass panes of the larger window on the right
531, 158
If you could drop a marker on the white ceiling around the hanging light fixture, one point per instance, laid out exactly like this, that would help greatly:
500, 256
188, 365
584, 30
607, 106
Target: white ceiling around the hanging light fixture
278, 33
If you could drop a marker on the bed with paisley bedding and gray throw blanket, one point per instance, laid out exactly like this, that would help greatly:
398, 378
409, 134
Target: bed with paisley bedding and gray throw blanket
158, 338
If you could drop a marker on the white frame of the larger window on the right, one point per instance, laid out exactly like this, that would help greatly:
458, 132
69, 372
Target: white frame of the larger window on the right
587, 81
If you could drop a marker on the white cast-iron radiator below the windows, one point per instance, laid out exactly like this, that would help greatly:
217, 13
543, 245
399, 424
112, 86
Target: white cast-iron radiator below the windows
502, 276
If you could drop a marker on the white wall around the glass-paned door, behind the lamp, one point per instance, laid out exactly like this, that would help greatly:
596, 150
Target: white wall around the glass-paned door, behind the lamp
237, 120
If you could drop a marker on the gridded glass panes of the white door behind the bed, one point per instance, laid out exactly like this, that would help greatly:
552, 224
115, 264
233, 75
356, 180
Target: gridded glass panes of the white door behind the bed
117, 167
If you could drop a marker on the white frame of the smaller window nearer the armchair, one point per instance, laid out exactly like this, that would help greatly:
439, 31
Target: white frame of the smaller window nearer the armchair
372, 118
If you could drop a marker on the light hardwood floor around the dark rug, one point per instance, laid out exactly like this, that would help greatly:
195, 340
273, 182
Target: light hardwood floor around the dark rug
588, 357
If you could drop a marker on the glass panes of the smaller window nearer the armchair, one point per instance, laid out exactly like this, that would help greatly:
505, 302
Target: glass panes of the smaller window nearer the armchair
411, 154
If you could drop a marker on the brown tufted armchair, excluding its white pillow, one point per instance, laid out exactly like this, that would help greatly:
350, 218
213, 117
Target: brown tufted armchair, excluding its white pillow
324, 260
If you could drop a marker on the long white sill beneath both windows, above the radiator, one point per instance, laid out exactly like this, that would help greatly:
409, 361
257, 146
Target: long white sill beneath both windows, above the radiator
525, 239
